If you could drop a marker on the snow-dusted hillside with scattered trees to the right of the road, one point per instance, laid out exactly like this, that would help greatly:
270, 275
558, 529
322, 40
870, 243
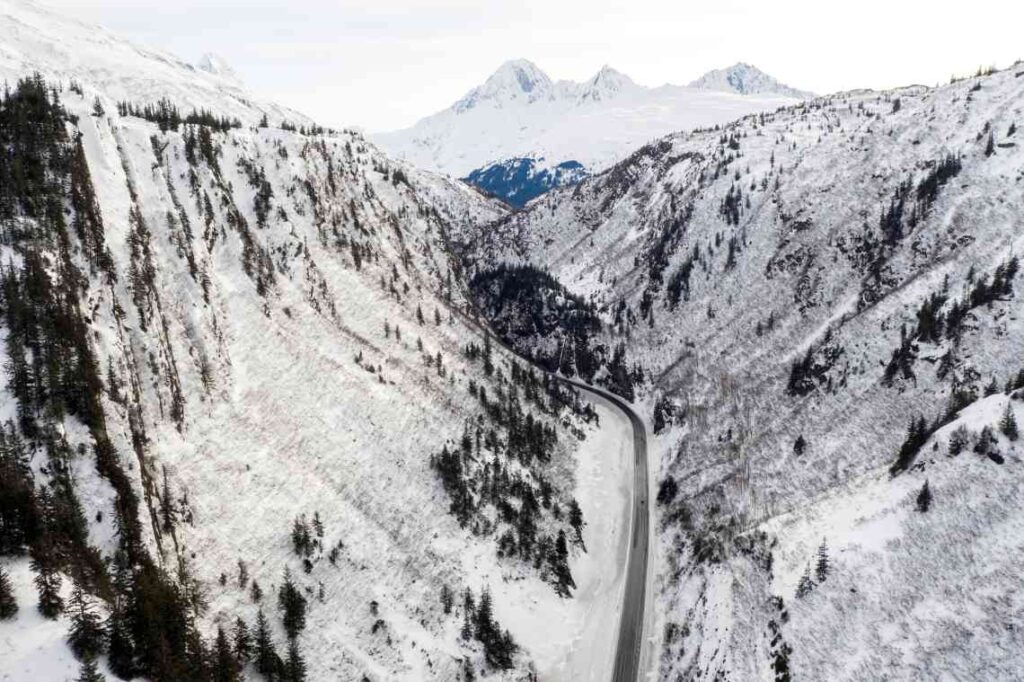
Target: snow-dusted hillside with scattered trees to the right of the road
821, 297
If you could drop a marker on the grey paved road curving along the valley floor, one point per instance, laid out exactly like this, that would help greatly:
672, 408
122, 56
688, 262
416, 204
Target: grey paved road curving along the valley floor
631, 627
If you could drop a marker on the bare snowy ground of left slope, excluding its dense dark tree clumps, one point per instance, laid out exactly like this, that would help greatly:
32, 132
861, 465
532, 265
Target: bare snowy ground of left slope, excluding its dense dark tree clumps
246, 326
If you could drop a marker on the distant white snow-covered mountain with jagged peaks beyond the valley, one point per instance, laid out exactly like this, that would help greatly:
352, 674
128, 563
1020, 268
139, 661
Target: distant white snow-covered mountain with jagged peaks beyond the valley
520, 112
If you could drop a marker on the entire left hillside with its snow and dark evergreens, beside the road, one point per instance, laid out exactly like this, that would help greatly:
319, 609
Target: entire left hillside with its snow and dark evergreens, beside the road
242, 388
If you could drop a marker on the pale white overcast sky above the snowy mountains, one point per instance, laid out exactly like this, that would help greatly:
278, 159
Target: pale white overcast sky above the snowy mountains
385, 64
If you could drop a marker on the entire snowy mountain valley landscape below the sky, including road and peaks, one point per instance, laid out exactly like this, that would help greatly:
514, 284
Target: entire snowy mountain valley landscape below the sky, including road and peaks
569, 381
